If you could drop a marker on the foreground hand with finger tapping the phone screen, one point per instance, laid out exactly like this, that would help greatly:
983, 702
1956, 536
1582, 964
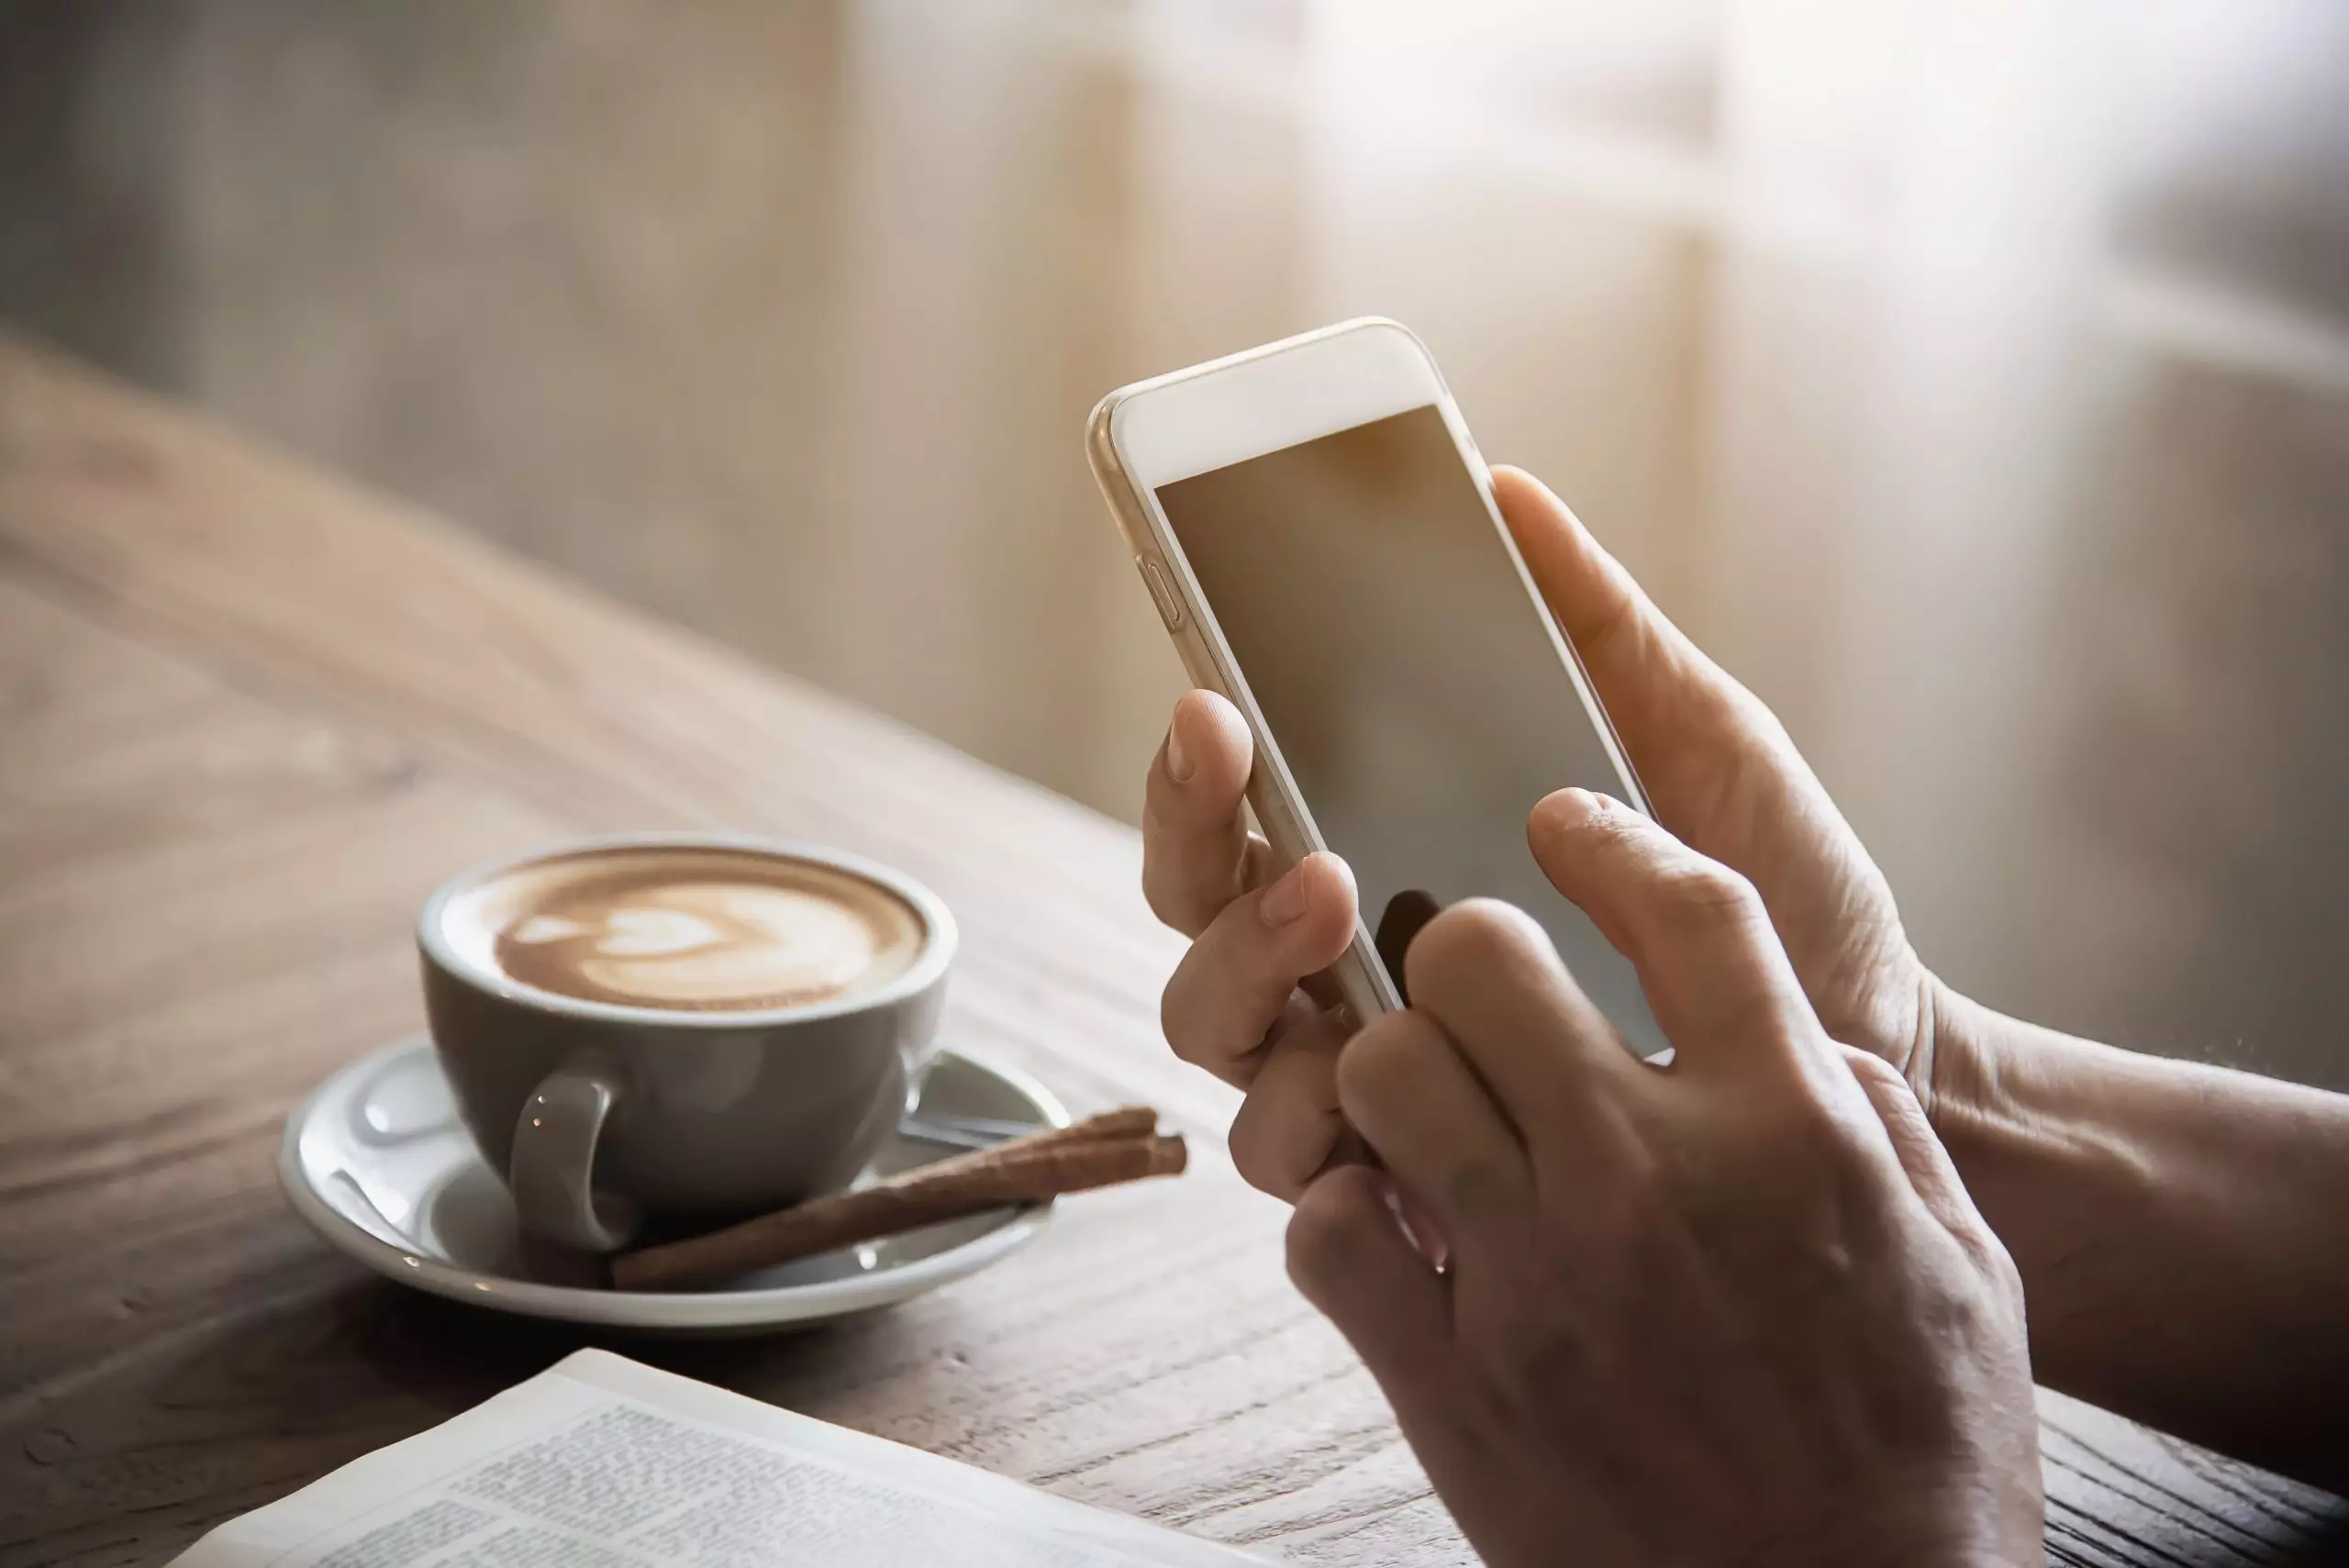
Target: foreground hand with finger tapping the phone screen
1735, 1311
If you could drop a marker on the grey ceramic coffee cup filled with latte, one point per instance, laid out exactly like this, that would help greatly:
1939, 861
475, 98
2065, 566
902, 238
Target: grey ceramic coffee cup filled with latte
680, 1029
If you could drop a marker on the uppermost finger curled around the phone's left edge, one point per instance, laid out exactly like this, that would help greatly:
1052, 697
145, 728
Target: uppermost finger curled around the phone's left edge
1197, 853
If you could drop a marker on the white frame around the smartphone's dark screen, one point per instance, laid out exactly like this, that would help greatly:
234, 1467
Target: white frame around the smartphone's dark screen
1258, 403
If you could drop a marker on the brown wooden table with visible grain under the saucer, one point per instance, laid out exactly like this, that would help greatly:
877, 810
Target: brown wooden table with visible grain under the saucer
250, 715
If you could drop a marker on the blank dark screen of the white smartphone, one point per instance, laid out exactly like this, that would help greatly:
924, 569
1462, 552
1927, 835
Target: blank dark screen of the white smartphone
1408, 677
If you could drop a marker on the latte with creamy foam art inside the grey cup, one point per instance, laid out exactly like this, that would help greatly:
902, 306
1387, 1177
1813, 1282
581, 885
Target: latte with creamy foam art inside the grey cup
687, 928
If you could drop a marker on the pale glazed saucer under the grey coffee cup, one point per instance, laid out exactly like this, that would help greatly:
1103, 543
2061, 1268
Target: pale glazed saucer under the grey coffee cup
382, 1168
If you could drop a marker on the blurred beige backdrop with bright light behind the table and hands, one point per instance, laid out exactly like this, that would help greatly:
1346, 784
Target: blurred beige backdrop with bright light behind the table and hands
1970, 377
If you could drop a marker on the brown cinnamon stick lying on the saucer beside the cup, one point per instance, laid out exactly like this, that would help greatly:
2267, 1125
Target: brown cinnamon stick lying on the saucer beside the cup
1093, 1154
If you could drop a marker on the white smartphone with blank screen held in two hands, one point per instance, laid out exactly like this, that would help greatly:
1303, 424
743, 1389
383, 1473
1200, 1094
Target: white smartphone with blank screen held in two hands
1321, 541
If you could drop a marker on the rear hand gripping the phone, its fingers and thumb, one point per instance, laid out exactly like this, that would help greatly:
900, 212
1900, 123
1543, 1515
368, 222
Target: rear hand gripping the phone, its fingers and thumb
1718, 769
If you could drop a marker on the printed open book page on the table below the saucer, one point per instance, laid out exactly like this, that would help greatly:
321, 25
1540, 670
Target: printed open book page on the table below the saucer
605, 1464
